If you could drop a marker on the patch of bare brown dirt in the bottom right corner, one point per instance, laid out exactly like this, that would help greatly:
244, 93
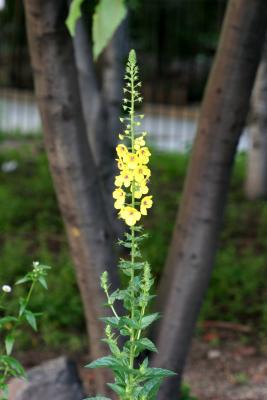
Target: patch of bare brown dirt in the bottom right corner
229, 370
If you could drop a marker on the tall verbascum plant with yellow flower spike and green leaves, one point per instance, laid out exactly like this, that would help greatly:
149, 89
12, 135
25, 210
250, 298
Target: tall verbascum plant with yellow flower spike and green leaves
134, 379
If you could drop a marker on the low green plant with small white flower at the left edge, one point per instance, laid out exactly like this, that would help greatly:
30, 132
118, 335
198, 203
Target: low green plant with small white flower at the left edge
10, 325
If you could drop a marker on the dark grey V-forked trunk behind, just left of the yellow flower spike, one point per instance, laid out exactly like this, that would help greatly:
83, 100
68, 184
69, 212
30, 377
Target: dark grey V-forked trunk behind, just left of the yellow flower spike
101, 103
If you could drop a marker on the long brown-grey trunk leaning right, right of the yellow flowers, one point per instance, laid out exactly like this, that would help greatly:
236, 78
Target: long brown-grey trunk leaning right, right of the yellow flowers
191, 255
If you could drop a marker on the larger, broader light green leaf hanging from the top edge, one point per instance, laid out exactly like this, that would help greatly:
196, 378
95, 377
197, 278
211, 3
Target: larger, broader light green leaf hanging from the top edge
107, 17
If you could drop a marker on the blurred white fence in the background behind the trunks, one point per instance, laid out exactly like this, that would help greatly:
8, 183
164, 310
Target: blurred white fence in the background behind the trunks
170, 128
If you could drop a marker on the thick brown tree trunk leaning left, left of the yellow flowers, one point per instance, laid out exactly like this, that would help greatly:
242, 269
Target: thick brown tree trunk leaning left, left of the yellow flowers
71, 161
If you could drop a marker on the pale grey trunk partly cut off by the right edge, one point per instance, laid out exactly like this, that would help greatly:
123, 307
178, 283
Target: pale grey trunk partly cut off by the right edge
256, 183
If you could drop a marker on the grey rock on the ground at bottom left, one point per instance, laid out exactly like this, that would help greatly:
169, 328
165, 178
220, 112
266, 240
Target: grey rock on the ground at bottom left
53, 380
